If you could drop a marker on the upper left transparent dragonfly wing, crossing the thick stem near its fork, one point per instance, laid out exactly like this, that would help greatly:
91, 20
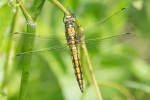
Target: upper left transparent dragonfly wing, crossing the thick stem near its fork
40, 41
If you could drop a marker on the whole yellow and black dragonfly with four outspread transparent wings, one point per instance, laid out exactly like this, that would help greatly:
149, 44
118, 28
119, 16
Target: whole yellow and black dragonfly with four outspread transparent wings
48, 46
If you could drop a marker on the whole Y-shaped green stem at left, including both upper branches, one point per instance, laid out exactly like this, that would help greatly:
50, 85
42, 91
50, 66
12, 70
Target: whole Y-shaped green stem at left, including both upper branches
31, 28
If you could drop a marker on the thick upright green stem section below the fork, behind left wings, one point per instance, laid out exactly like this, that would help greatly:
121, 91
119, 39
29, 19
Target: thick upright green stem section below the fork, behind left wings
31, 28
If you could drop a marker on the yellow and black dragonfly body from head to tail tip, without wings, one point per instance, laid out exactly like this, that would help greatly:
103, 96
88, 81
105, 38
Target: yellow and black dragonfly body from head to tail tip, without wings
72, 40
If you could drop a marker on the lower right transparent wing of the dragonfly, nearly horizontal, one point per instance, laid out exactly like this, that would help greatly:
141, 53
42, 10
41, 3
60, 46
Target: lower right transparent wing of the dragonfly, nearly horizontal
104, 43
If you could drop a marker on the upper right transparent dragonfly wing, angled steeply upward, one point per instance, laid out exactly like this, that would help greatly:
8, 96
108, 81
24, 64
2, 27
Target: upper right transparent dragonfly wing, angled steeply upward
107, 24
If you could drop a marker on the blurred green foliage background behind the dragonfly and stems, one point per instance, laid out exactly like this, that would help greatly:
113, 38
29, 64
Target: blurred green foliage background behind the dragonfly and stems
122, 72
